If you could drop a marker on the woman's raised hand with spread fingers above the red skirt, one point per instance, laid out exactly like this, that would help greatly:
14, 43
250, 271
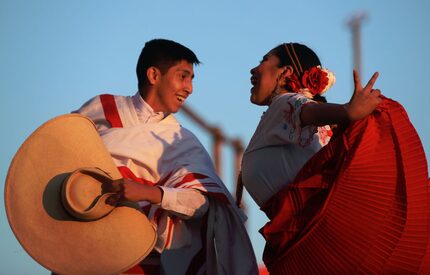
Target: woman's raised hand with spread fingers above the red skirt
364, 100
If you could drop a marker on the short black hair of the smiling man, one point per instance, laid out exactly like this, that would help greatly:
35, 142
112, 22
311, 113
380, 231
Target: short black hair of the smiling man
163, 54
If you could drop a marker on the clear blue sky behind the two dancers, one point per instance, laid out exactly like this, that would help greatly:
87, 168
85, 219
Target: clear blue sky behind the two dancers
55, 55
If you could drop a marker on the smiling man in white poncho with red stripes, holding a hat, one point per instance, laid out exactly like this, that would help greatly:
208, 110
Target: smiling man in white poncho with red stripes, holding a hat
168, 172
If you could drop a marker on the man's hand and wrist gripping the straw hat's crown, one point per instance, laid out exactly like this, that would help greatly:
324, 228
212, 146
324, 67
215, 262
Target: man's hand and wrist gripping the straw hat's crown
127, 189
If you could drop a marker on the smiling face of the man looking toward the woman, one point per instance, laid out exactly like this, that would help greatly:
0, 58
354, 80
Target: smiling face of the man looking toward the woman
174, 87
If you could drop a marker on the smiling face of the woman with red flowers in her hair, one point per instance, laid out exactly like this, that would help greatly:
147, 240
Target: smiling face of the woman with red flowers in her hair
264, 79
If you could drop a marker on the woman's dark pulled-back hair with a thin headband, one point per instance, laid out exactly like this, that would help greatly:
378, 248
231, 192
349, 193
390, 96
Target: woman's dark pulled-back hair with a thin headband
305, 55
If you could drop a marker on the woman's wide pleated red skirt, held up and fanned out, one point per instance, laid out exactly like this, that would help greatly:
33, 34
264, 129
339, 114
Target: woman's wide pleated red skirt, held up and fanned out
360, 205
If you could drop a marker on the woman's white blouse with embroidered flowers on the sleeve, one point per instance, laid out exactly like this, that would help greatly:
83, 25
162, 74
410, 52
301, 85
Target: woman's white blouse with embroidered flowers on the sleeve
279, 147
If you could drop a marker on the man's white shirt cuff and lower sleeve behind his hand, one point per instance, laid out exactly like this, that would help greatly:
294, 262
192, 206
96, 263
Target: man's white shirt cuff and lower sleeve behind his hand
184, 203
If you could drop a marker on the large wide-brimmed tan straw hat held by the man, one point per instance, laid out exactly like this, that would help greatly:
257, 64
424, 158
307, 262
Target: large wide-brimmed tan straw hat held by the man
56, 209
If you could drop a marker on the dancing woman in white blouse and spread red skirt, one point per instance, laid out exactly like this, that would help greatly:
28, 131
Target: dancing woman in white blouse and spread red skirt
360, 204
